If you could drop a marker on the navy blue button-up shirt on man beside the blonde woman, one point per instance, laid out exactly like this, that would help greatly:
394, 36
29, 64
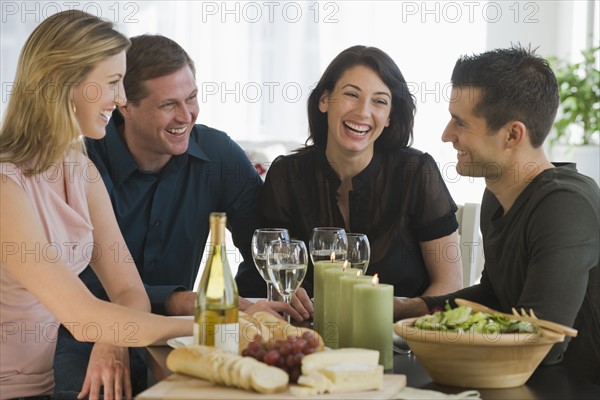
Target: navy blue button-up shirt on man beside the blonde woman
164, 217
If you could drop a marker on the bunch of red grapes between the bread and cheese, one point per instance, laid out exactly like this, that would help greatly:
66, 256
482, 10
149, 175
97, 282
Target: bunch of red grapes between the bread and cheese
285, 354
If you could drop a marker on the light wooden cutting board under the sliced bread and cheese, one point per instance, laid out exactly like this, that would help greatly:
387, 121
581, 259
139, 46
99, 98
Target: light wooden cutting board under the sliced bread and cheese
180, 387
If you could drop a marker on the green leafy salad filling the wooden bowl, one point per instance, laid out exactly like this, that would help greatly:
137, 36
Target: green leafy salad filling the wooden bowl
463, 319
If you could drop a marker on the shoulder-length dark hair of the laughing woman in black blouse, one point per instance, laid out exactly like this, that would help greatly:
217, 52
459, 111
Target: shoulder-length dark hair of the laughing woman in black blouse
399, 133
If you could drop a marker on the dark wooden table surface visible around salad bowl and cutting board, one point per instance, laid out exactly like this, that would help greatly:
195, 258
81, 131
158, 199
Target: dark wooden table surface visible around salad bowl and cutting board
548, 382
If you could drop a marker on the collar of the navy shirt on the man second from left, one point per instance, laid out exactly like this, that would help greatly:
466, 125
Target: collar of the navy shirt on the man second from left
122, 161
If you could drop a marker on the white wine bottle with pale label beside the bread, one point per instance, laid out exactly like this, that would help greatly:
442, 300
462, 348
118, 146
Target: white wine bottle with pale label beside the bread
216, 321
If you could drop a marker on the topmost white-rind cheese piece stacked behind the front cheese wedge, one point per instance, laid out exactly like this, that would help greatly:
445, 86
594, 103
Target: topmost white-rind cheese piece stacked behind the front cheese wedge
322, 359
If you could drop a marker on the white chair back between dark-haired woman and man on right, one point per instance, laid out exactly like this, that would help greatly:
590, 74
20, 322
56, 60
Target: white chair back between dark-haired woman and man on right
471, 243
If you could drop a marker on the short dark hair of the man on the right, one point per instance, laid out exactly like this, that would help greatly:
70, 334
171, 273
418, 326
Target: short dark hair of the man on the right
516, 84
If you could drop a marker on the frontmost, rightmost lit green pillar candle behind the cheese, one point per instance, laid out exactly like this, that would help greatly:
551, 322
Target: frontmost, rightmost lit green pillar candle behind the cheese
372, 321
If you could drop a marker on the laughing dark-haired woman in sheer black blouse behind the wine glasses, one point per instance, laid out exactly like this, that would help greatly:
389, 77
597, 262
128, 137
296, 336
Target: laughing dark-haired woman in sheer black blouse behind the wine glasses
357, 171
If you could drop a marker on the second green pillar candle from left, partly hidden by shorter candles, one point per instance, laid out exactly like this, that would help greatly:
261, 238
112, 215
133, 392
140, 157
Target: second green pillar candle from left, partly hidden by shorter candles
332, 293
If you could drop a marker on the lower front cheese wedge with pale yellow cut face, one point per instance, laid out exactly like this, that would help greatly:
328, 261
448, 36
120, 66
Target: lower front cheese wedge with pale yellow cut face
352, 377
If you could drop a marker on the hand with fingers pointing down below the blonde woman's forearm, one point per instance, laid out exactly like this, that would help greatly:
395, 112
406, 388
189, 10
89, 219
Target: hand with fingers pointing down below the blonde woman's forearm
109, 368
